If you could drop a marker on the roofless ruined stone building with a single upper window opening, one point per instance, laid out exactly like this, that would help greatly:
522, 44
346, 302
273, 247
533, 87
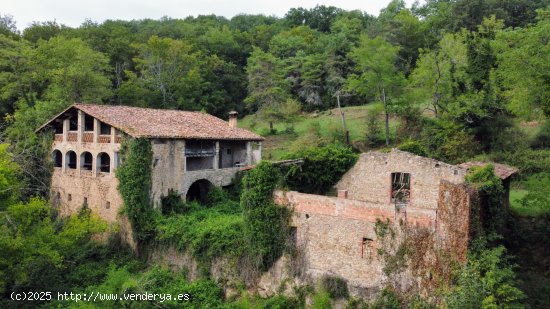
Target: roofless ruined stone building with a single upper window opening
337, 235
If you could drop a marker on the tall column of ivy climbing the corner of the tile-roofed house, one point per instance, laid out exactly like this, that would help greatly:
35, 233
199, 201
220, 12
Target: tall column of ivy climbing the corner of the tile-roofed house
134, 185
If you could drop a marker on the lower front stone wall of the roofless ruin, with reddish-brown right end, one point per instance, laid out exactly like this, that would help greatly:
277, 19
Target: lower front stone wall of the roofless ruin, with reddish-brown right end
336, 236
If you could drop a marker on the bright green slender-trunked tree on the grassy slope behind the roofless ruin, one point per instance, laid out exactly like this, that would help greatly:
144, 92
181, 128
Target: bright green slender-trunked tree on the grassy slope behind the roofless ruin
377, 74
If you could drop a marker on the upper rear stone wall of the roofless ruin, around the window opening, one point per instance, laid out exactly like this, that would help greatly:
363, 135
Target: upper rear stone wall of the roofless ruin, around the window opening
370, 178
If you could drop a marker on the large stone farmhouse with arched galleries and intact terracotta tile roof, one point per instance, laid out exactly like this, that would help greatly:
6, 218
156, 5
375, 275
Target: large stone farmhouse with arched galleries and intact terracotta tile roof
191, 151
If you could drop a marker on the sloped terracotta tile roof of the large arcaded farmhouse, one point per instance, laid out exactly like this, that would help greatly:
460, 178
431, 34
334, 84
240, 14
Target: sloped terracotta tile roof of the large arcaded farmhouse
162, 123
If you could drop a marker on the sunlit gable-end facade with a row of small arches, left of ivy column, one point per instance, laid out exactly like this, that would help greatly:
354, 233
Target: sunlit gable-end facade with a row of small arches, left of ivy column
79, 181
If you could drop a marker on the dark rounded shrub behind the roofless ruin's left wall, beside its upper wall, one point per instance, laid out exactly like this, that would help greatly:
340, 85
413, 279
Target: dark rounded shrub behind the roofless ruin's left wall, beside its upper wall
321, 169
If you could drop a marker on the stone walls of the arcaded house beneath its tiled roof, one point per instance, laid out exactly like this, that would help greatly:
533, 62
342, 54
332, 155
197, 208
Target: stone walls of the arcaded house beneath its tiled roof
85, 153
